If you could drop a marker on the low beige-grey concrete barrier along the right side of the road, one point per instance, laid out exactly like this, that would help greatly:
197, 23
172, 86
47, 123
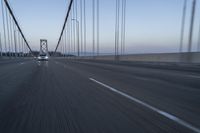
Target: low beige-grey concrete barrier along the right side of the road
193, 57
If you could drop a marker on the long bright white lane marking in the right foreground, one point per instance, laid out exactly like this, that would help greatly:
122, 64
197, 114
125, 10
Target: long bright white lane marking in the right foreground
163, 113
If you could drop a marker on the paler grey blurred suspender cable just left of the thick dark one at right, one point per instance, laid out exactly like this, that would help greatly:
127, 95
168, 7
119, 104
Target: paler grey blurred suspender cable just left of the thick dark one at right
183, 25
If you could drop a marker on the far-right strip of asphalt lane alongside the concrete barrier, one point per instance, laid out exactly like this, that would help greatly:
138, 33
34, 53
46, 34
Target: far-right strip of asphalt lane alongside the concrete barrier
175, 74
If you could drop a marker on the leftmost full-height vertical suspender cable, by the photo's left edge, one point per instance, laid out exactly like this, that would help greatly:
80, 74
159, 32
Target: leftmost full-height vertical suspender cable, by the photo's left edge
4, 27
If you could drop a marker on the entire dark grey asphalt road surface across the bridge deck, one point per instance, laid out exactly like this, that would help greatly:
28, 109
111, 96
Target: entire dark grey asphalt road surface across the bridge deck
80, 96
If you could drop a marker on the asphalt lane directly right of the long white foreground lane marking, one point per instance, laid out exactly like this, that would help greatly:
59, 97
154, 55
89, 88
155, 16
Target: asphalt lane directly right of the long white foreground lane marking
179, 100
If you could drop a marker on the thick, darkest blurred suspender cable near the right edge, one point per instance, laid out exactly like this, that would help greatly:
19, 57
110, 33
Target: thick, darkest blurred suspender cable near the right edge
191, 26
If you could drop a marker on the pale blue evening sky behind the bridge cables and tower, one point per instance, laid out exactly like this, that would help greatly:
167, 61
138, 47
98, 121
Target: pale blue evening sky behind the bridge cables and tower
152, 26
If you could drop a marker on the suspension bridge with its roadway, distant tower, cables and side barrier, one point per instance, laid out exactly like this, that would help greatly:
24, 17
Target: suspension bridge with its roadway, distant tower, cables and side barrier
82, 89
